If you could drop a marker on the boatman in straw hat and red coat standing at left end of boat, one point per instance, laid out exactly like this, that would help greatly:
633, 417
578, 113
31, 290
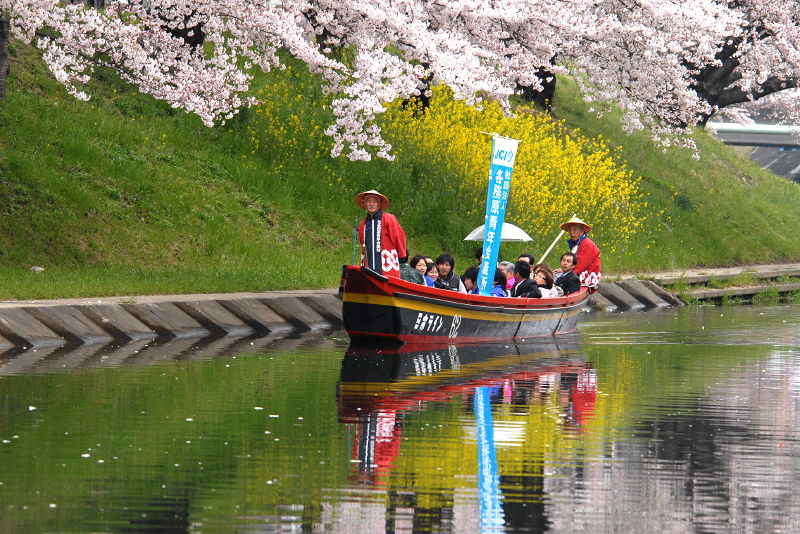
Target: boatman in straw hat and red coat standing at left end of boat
383, 241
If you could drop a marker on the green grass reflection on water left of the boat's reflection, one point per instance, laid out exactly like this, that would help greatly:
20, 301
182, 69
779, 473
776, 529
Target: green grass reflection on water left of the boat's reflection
109, 448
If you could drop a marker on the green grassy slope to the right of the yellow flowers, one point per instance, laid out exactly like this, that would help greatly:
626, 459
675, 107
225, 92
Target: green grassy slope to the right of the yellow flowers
722, 209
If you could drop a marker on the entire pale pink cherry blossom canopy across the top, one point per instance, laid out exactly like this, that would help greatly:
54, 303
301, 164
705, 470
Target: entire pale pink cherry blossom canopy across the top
650, 58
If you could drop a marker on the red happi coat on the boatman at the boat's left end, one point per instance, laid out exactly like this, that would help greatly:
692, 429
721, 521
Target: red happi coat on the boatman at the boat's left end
383, 243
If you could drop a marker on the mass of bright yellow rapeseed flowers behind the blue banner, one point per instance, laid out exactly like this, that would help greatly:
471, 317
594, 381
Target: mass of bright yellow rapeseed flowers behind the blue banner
557, 172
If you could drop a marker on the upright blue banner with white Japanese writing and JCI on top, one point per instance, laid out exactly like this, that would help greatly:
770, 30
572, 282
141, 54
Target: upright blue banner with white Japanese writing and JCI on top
504, 151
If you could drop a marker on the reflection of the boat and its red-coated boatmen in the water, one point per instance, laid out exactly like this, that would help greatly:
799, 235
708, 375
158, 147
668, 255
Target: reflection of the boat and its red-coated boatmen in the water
379, 388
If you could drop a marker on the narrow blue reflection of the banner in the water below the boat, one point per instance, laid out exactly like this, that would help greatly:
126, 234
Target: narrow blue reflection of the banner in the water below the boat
489, 494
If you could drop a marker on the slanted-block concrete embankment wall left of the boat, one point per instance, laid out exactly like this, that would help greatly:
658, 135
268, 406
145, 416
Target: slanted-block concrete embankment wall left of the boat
35, 324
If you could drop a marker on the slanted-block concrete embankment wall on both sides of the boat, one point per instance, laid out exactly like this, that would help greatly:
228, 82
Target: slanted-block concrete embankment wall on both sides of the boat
28, 325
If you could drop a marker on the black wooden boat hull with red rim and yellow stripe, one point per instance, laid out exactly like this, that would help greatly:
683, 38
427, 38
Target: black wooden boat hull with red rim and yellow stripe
386, 308
